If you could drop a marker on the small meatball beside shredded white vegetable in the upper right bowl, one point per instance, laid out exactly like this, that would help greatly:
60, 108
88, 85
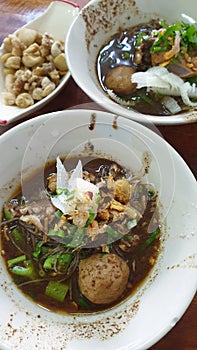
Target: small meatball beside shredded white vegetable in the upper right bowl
118, 79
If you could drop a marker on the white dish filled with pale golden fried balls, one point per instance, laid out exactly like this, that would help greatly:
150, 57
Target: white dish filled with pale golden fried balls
33, 63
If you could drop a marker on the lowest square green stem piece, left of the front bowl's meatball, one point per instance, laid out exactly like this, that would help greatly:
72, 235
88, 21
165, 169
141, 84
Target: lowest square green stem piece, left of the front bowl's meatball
56, 290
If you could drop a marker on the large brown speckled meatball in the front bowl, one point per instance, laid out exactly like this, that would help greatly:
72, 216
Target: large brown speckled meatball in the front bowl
103, 279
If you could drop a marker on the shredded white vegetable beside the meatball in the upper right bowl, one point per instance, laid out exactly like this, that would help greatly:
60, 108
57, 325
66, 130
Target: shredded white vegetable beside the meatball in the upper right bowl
159, 79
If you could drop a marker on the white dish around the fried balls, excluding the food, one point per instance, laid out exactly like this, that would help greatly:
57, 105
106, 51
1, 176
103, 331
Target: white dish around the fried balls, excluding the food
56, 21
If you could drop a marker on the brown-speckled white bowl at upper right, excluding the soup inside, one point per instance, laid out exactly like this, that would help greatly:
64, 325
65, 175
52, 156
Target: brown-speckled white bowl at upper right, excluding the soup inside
96, 23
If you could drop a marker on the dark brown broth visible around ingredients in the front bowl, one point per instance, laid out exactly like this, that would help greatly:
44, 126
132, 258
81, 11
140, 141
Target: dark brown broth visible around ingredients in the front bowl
140, 258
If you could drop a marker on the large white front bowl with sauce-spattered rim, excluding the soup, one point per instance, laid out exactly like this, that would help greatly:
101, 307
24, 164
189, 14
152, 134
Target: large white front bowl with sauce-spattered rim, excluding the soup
160, 302
